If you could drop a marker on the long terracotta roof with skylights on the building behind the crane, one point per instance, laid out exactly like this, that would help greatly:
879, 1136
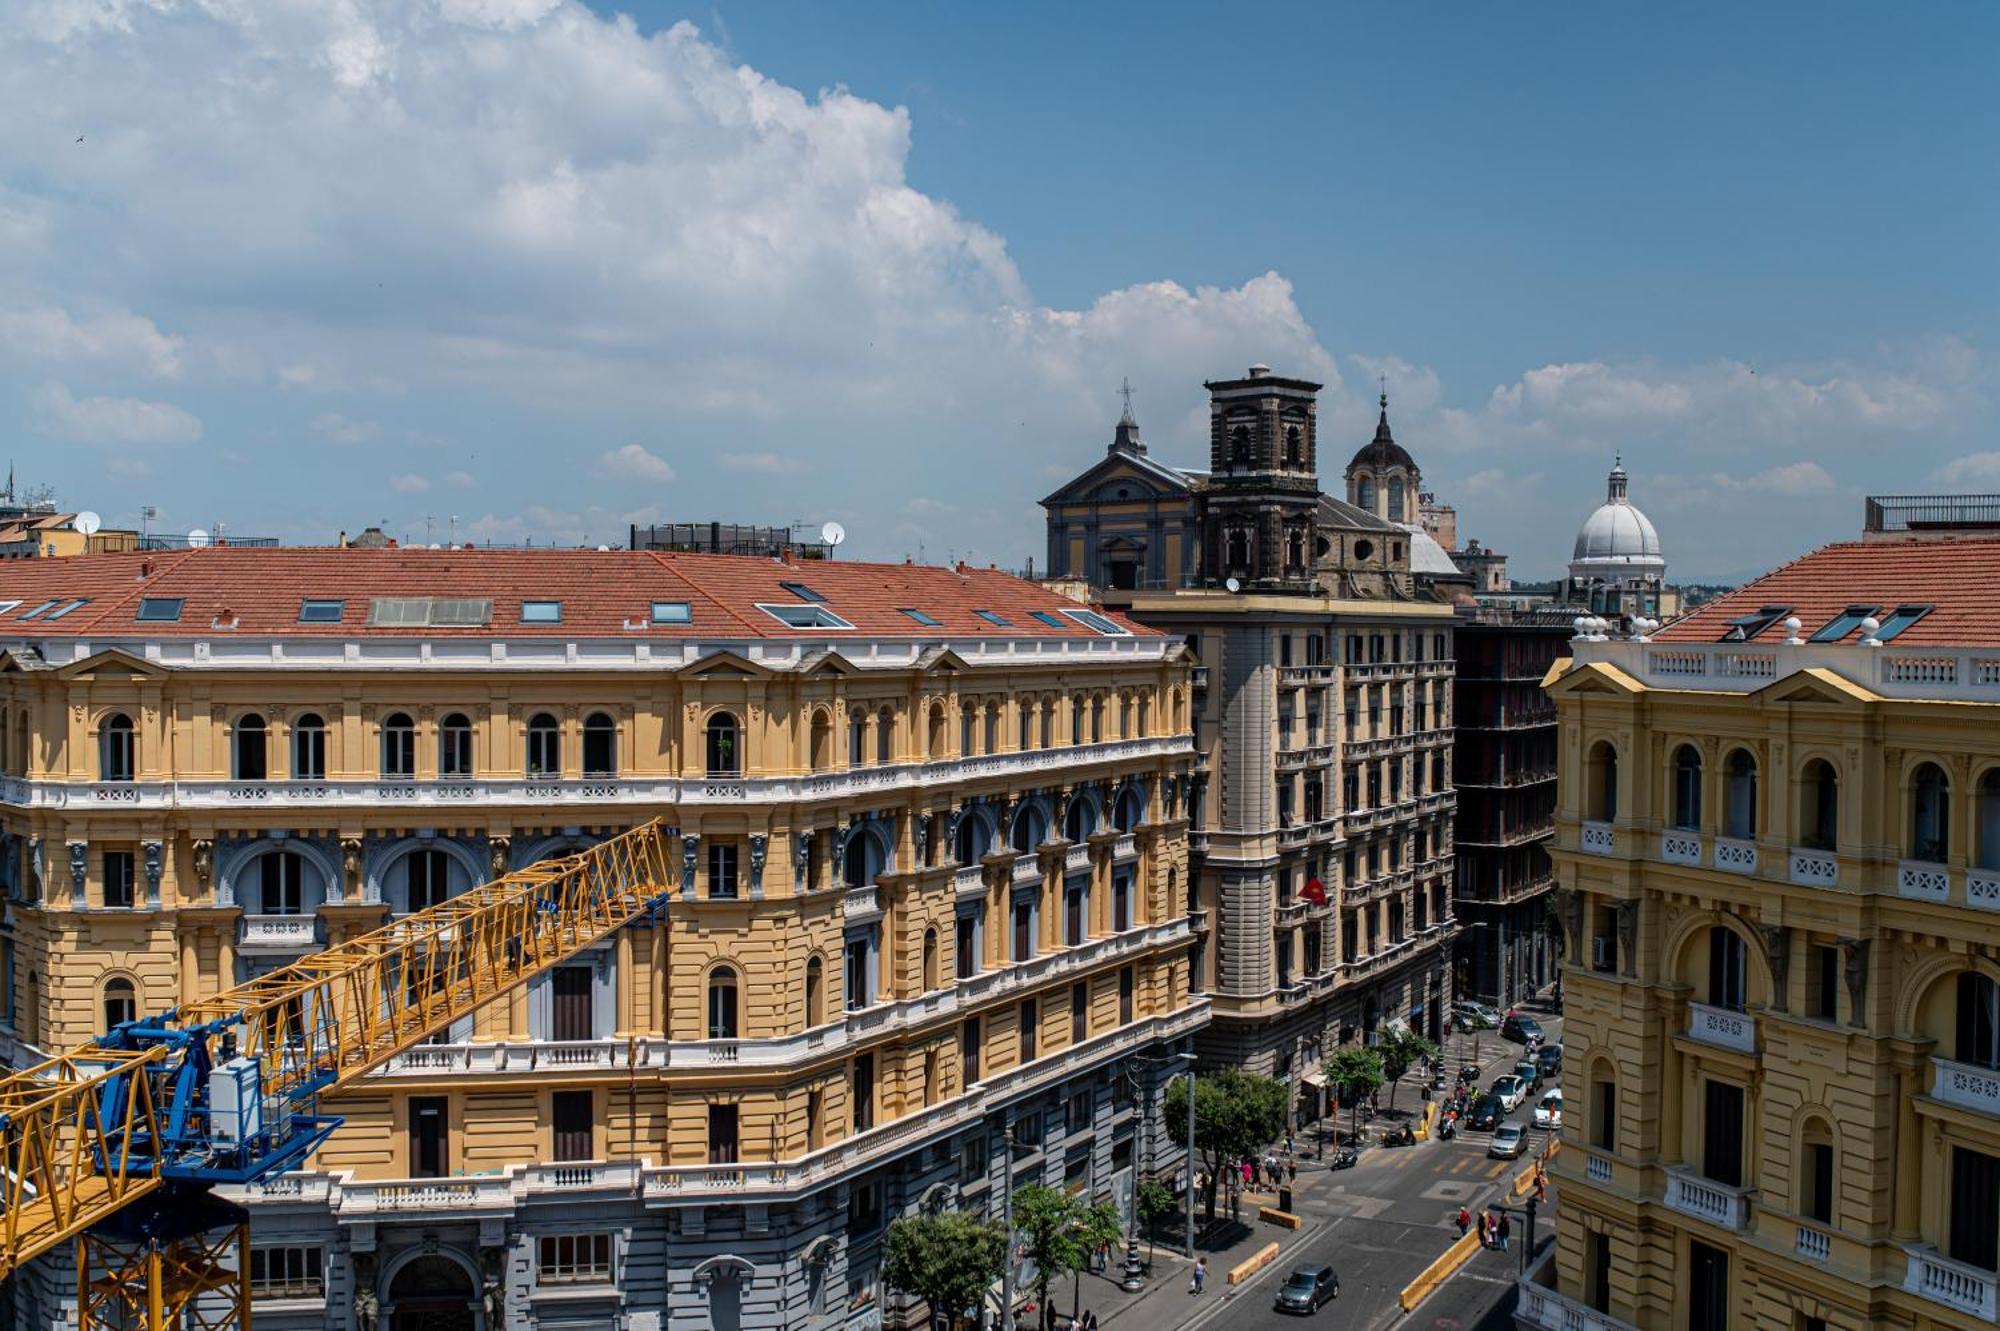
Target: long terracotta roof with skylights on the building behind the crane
601, 593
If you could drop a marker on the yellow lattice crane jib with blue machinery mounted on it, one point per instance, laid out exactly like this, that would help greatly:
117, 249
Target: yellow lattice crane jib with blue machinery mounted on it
89, 1132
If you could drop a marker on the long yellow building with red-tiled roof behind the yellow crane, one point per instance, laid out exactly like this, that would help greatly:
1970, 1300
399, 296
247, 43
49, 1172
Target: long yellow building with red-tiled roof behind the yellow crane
933, 890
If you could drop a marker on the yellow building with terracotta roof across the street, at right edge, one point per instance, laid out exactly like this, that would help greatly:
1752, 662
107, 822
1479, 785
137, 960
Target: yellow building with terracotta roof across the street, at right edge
1779, 846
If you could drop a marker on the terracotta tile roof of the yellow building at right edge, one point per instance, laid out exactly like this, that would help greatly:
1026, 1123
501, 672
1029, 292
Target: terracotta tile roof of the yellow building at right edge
1959, 581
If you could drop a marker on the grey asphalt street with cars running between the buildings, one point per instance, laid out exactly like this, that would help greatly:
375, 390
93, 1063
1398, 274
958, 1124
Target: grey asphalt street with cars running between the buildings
1383, 1222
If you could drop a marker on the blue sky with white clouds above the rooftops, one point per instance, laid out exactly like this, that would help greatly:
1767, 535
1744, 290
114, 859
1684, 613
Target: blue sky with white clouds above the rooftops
551, 271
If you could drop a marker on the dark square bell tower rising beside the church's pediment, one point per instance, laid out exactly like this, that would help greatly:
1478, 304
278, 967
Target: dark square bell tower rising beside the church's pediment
1263, 481
